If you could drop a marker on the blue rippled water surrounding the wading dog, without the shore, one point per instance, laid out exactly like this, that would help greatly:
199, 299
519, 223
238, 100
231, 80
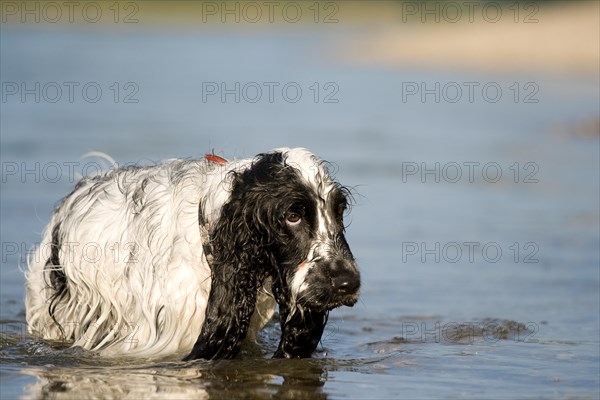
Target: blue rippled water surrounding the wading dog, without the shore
481, 288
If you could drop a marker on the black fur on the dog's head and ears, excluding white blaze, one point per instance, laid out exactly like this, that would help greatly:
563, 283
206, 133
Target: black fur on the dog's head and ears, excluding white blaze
250, 242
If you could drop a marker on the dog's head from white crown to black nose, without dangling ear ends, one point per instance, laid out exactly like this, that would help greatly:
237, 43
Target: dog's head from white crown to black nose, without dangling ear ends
293, 214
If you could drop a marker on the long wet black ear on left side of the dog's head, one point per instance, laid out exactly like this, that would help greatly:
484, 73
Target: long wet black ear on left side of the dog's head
241, 242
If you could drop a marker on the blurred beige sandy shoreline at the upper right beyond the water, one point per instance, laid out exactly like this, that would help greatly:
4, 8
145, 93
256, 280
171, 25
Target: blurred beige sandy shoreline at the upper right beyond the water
564, 40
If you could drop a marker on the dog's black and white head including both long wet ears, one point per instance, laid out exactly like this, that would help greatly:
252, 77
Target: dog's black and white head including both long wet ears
285, 220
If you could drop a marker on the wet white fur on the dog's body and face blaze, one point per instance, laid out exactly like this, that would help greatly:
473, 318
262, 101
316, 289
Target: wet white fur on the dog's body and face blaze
132, 253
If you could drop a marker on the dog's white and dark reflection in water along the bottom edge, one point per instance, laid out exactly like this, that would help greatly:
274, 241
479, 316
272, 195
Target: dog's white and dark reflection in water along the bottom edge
302, 379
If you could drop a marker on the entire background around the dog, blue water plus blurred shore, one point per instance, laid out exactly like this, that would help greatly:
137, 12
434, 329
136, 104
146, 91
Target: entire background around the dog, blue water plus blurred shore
469, 132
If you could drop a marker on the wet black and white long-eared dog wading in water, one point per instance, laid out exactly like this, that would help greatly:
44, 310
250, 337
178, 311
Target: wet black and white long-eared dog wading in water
189, 257
